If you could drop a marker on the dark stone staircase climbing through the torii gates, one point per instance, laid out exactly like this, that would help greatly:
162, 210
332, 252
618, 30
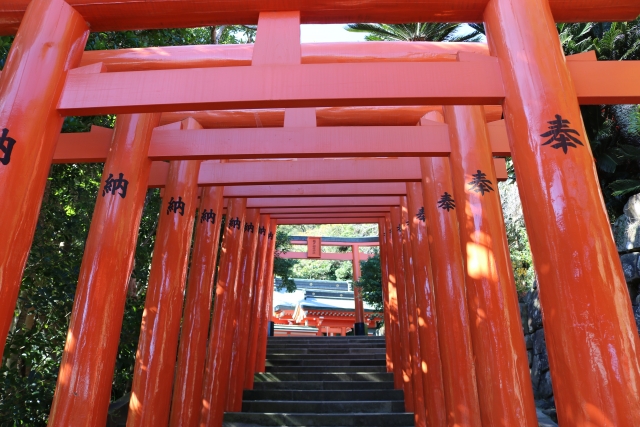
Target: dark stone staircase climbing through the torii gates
323, 381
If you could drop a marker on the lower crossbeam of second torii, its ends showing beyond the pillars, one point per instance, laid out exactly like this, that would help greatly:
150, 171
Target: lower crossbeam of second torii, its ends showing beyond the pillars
277, 143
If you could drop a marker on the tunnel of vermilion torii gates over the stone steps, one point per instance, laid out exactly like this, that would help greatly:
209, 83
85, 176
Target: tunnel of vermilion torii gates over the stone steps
430, 113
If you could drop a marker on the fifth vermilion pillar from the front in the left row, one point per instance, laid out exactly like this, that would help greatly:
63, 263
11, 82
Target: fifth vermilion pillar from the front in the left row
216, 378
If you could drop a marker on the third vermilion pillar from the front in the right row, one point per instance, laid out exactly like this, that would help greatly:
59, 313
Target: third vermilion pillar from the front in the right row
456, 352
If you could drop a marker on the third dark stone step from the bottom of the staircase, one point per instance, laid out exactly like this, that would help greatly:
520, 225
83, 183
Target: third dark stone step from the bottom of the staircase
367, 395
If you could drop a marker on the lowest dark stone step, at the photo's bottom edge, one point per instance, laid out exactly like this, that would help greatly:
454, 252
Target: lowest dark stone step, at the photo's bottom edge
243, 419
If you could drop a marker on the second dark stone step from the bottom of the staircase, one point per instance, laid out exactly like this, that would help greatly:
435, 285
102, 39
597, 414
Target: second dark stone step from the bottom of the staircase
320, 407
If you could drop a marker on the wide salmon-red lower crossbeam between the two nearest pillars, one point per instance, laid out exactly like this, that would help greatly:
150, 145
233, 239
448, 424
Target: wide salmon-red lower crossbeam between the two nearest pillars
288, 86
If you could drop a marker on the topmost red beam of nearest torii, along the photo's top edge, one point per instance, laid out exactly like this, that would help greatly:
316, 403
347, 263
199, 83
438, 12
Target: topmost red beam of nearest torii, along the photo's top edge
107, 15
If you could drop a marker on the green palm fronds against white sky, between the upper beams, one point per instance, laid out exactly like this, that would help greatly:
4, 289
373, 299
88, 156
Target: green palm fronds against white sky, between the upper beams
415, 32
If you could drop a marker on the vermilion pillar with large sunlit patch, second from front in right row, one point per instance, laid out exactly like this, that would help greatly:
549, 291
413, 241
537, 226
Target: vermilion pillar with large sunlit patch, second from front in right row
502, 370
